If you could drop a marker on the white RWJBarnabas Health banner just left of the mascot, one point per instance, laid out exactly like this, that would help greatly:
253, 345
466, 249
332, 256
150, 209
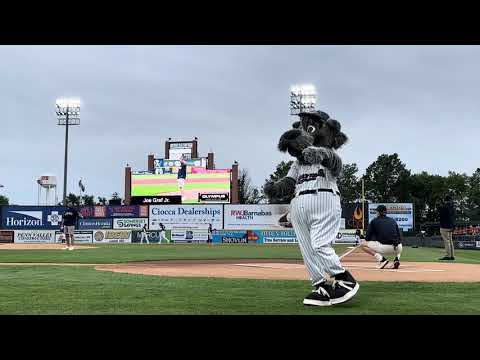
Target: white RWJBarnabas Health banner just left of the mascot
253, 217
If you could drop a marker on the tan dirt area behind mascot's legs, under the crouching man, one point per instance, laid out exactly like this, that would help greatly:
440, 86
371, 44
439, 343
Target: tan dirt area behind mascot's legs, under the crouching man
283, 270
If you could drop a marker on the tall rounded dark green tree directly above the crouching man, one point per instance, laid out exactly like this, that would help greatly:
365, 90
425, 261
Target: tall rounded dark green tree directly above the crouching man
387, 180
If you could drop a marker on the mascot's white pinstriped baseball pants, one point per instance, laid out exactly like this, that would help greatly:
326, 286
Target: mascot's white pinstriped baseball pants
316, 220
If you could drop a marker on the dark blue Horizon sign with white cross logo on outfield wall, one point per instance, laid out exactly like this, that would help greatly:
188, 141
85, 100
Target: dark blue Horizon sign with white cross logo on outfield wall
32, 217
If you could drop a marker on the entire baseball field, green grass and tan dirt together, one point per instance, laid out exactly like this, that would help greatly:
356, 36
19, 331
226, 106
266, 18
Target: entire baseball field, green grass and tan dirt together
229, 279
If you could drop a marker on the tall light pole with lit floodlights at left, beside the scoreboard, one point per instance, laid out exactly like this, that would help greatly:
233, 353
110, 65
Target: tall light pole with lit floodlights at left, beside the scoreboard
68, 113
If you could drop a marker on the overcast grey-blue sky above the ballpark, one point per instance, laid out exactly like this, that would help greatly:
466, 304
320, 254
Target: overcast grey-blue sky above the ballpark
421, 102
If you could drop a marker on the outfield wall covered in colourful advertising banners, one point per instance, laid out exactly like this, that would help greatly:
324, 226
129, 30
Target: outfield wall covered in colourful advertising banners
248, 224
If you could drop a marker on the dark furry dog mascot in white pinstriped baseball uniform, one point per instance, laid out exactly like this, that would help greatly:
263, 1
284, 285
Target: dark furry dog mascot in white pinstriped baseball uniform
315, 210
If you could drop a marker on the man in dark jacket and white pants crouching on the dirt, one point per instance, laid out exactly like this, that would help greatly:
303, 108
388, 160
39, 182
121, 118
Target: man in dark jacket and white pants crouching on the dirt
383, 237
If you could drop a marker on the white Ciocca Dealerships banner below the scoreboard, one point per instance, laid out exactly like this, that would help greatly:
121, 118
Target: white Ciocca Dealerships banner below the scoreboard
198, 216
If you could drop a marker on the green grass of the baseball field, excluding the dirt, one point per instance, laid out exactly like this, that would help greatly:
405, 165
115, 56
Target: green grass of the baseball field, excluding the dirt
83, 290
